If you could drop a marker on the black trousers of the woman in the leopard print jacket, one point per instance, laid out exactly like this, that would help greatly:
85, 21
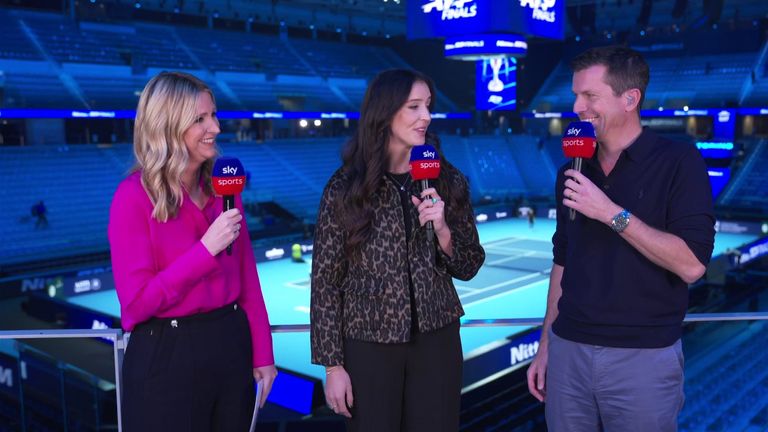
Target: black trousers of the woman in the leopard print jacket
409, 387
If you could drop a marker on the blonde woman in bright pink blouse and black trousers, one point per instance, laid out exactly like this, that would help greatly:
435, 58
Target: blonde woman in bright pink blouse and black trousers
199, 329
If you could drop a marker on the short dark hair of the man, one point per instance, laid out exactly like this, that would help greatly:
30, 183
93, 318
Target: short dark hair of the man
625, 68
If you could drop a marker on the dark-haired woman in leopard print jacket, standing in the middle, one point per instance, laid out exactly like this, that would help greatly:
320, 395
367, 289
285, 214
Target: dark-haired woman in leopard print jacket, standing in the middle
384, 312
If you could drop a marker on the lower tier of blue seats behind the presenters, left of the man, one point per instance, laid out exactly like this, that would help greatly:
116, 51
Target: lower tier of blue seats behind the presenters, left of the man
76, 184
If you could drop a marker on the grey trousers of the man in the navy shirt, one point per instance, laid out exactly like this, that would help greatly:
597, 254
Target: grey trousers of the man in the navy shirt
592, 388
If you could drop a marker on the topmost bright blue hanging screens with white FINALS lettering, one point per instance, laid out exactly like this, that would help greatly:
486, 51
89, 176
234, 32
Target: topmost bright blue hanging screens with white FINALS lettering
441, 18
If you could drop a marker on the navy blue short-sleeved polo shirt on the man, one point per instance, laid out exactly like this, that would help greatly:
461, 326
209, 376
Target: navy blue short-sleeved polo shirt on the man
613, 295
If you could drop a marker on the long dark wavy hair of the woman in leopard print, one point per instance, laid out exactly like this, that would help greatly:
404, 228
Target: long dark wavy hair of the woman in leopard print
365, 157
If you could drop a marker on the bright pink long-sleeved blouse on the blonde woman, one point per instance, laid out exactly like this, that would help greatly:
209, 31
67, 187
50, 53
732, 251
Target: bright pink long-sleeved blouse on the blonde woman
164, 270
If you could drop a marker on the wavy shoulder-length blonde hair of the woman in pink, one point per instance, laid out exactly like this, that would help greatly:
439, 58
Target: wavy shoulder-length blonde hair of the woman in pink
167, 108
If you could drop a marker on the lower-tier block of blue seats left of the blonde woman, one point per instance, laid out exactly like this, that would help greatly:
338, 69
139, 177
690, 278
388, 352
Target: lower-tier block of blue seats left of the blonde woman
74, 182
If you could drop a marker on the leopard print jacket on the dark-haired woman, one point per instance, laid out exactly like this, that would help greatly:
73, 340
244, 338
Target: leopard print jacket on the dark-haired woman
369, 300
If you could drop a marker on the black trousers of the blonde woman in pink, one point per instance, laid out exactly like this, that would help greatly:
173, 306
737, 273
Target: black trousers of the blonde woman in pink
190, 374
